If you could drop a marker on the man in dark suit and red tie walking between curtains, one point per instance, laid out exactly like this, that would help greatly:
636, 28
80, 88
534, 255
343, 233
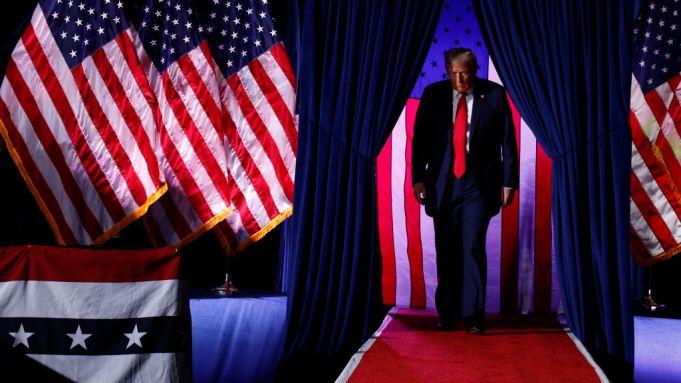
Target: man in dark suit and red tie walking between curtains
464, 168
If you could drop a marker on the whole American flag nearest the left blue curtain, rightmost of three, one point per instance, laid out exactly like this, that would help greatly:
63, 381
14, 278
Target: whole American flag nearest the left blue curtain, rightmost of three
257, 91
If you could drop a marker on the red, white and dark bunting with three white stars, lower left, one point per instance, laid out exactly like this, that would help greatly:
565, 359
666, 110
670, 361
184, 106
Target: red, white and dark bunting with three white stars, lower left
91, 316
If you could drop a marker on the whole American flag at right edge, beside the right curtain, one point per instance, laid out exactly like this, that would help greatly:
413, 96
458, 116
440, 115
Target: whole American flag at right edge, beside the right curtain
655, 118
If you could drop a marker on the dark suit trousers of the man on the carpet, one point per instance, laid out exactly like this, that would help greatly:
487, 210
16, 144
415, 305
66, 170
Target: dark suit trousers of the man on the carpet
460, 240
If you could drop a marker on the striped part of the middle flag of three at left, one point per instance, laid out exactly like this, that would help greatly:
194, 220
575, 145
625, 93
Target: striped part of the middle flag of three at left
192, 138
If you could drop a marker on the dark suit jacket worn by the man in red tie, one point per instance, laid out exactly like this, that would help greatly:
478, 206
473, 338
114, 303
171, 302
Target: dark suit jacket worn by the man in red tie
493, 153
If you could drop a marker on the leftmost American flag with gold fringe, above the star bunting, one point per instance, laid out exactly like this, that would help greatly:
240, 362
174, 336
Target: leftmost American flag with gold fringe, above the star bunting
78, 119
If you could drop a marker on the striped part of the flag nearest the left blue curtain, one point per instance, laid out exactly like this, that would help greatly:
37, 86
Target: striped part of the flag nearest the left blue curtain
261, 143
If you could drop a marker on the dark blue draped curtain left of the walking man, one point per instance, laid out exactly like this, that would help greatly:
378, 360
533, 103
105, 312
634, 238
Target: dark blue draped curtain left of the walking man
357, 61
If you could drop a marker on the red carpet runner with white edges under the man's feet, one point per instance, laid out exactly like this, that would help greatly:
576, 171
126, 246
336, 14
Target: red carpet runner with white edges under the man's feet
408, 349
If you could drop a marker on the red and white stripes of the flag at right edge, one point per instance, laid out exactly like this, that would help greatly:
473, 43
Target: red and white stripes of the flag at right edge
655, 171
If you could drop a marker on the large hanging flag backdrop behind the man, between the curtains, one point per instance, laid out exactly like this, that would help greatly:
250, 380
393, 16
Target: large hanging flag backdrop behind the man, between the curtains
521, 271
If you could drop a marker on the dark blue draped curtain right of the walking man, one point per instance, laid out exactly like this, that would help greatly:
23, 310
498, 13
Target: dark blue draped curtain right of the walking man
567, 67
